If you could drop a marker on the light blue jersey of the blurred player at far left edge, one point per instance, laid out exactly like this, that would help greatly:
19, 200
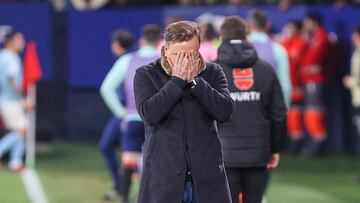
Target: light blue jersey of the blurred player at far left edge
10, 69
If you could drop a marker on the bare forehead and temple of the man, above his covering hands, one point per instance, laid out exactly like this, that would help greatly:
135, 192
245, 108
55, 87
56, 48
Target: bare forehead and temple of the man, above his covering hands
171, 50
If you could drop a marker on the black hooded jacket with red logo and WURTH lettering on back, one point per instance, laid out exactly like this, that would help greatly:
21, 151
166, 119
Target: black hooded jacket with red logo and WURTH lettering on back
258, 125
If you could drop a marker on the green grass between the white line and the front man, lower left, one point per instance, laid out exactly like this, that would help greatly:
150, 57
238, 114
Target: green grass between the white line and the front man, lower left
73, 173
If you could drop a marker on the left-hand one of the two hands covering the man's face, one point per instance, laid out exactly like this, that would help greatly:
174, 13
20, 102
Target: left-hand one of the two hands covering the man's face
179, 66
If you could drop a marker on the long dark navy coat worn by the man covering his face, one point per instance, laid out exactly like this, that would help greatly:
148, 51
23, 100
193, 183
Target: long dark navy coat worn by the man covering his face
181, 133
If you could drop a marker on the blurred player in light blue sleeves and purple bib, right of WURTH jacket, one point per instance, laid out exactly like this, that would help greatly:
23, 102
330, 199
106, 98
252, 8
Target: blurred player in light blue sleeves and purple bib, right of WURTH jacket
269, 50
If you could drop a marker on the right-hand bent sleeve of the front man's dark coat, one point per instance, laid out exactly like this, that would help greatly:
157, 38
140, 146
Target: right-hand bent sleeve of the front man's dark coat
215, 99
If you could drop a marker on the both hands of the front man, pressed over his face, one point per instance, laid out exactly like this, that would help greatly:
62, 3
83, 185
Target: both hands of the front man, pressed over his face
185, 65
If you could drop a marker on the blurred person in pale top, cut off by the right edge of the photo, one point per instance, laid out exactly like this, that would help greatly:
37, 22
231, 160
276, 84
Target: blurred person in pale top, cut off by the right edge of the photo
352, 81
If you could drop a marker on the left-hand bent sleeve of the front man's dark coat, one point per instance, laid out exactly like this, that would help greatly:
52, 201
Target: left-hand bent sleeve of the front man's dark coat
153, 105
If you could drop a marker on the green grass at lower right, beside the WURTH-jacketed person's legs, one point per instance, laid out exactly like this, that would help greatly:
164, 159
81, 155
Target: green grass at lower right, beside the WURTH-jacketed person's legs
329, 179
